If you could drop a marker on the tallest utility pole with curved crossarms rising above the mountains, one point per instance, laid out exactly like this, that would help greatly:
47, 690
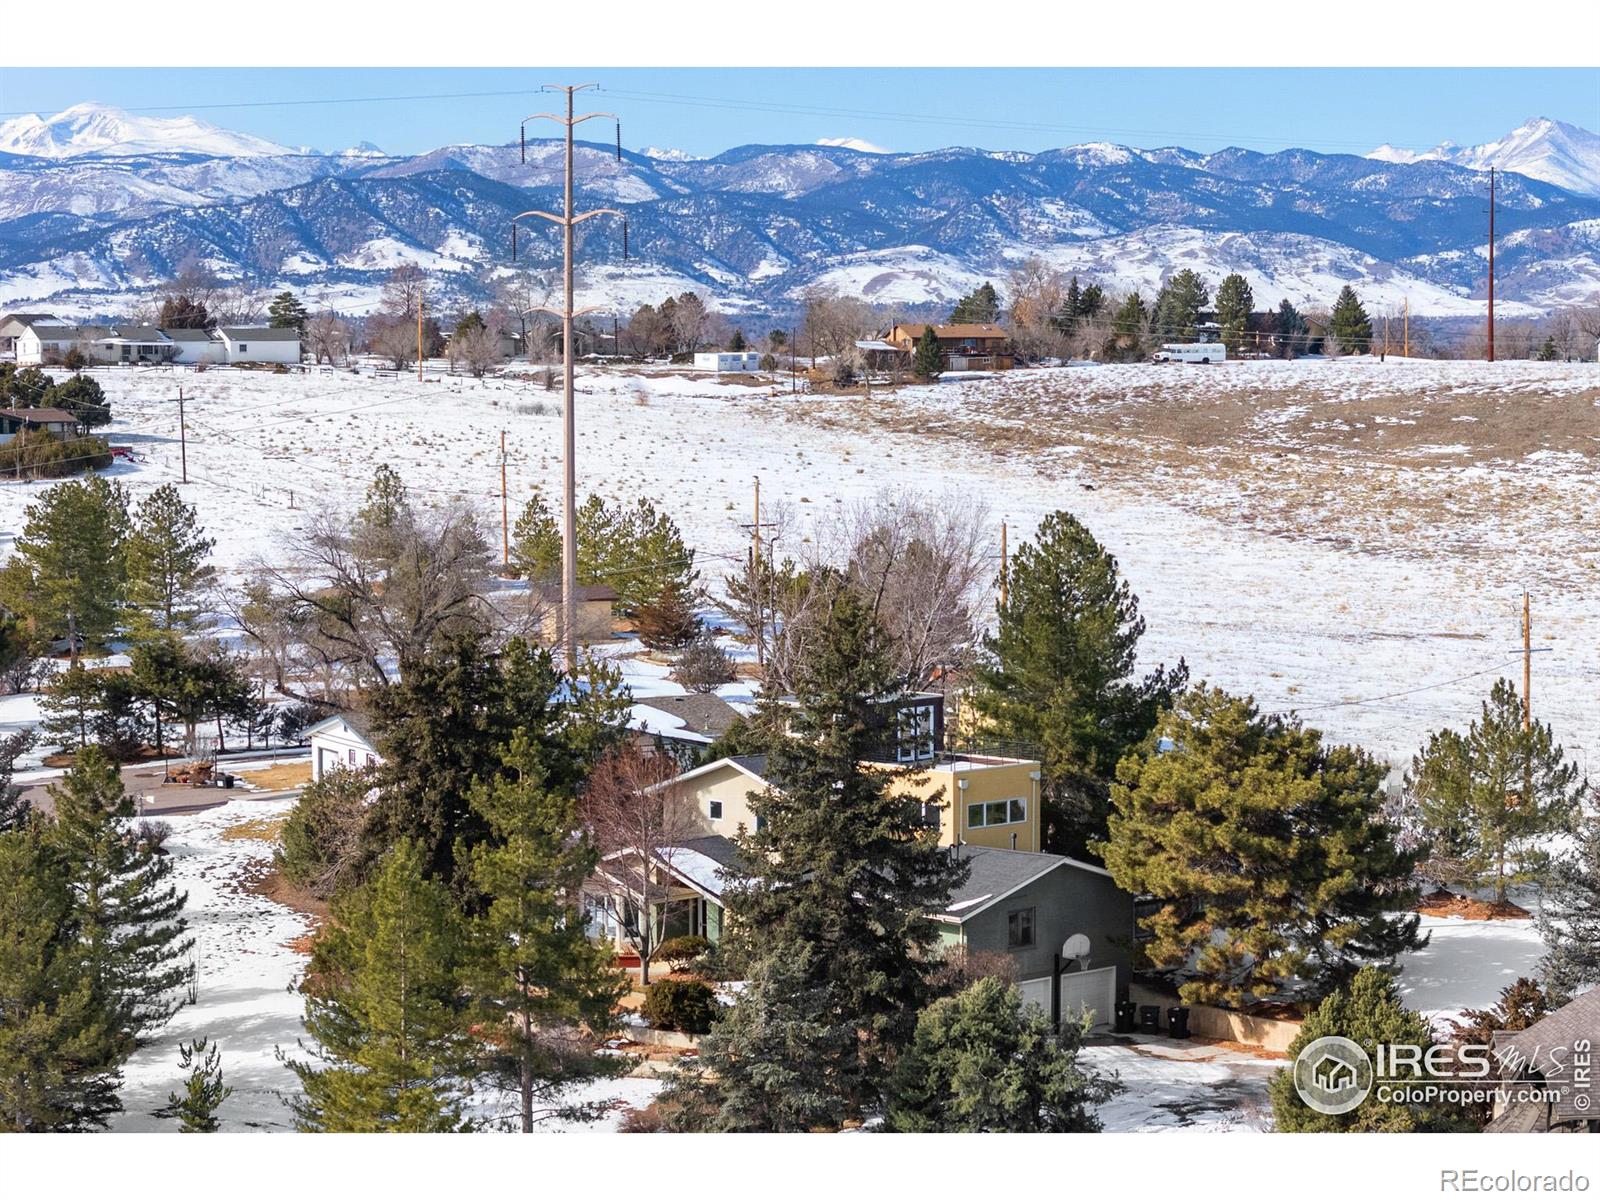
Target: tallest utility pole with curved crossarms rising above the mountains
569, 220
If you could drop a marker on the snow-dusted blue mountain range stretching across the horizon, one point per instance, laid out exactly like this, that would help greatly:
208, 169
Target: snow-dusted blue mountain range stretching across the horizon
98, 206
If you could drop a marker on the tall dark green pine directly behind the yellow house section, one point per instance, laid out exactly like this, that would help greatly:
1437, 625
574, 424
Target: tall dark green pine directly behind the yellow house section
1058, 674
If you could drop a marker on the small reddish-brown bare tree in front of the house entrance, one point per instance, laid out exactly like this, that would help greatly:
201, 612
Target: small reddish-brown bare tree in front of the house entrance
639, 818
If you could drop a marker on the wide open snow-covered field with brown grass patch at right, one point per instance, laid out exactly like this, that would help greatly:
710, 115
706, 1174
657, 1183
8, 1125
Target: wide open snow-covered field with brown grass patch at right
1346, 538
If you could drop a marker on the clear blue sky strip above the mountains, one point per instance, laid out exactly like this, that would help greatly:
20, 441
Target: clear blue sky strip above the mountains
705, 111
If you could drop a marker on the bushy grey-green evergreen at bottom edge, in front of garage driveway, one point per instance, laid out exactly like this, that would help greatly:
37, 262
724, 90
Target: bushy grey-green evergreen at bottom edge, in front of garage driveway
985, 1063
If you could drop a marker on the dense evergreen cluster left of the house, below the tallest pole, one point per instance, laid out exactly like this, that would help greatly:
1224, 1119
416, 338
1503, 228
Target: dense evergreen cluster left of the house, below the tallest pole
458, 959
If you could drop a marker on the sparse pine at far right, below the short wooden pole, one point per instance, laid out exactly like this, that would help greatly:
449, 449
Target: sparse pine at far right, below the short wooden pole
1490, 798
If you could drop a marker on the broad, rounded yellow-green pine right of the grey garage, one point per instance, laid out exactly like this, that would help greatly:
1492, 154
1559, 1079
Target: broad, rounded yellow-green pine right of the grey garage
1268, 850
